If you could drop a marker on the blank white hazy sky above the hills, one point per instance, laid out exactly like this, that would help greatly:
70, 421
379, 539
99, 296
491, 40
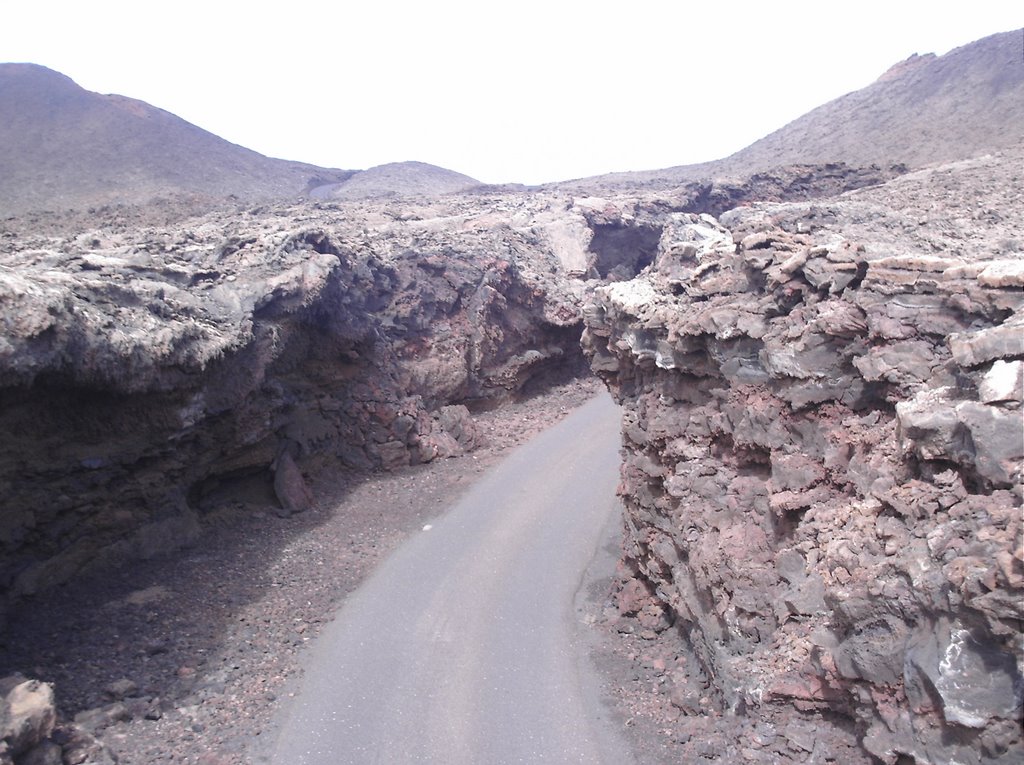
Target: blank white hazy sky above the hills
504, 92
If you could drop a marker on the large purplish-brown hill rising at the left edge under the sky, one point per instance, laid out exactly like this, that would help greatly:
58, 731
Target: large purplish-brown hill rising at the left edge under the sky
64, 147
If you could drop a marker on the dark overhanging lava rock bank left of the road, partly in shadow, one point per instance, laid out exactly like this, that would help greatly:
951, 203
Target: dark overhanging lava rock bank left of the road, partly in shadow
150, 373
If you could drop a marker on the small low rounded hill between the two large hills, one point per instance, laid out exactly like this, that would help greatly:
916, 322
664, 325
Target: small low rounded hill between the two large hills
398, 179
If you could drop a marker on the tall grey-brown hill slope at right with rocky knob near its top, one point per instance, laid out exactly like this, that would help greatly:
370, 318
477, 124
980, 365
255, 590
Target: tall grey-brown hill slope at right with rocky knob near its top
925, 110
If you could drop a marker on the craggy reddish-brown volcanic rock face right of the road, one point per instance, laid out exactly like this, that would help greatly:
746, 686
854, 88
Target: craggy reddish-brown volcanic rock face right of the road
824, 466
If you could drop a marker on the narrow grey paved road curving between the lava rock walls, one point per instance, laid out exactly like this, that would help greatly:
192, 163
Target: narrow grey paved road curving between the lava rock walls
463, 648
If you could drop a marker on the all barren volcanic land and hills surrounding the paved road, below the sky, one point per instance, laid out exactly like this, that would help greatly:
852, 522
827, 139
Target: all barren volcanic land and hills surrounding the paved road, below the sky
218, 416
